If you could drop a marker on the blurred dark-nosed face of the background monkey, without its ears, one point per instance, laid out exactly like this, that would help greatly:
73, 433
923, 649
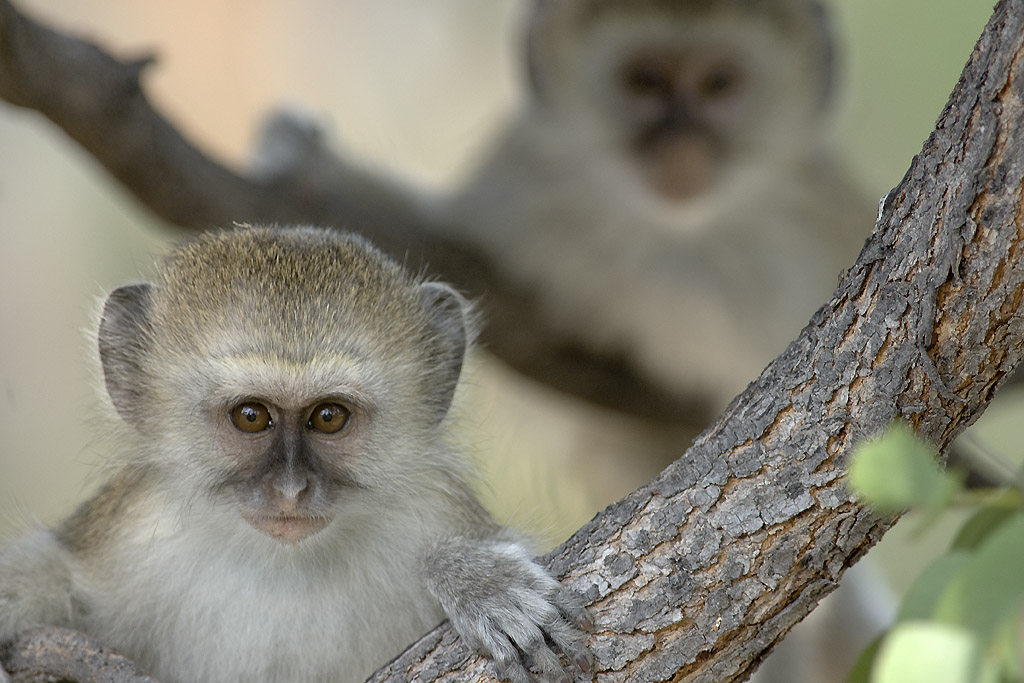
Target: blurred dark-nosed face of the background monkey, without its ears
693, 109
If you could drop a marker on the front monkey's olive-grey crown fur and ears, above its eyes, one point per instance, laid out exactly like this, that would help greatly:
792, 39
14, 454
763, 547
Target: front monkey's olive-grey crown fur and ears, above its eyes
290, 316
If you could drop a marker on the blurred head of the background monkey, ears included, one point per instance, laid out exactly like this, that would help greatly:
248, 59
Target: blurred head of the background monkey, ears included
690, 97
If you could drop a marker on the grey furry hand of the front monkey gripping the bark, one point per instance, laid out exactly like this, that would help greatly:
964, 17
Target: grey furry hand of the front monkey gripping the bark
508, 609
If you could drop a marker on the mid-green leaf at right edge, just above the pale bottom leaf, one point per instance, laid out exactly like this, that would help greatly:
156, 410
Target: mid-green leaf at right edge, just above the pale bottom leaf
990, 589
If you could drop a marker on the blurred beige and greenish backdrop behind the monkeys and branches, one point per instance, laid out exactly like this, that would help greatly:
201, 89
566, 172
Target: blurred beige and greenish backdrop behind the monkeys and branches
411, 87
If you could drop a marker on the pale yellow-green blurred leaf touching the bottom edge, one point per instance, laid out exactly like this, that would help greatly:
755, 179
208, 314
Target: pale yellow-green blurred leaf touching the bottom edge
928, 653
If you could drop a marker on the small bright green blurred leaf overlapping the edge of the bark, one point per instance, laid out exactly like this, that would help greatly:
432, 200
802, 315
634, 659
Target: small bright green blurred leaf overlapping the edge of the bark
899, 472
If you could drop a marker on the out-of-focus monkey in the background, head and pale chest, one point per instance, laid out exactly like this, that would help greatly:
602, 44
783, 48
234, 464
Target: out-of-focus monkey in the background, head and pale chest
669, 186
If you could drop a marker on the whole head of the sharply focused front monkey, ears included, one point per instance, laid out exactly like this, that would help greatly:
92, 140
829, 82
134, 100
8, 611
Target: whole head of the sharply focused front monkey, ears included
286, 374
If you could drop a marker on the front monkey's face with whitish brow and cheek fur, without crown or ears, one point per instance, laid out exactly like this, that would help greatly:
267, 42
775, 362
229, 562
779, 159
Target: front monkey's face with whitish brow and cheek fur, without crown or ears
292, 444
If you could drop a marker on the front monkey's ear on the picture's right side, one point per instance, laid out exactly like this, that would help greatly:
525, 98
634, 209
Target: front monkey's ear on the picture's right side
446, 312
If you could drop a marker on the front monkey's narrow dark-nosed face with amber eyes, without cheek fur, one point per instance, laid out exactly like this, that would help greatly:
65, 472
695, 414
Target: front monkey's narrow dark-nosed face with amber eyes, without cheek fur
290, 451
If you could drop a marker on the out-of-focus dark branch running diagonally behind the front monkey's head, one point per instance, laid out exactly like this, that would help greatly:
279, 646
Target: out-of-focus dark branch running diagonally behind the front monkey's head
101, 104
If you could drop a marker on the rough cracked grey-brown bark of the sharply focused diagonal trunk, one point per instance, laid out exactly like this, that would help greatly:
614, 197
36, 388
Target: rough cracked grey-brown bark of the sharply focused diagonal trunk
696, 576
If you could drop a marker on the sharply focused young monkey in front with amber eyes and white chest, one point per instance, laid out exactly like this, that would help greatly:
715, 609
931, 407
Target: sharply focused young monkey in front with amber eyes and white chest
285, 506
